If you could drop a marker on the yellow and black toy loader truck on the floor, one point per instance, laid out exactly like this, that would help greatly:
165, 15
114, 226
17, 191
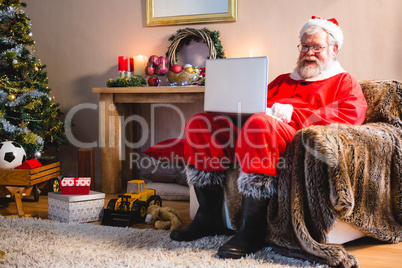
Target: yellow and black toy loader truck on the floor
130, 207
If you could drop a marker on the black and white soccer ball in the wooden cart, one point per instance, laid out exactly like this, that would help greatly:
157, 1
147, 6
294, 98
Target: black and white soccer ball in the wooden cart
11, 155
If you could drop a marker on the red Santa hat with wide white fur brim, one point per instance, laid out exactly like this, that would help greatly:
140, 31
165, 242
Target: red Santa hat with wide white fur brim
331, 26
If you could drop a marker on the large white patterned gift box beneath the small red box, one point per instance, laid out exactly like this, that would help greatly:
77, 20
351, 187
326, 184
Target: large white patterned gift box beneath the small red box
76, 208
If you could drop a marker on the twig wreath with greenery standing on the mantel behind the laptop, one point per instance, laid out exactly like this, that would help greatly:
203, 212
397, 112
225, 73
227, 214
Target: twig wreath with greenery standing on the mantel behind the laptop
185, 36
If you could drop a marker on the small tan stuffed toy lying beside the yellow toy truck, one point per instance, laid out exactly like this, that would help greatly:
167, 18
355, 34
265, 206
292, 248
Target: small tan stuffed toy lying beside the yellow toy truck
165, 218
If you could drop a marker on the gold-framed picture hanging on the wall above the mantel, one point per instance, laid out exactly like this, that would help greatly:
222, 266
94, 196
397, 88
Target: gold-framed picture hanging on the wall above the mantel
175, 12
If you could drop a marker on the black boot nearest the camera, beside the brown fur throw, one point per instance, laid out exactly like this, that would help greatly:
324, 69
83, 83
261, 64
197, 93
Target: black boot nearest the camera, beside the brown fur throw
251, 236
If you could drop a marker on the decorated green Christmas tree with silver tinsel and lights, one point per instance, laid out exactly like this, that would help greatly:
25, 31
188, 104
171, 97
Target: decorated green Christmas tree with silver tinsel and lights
28, 114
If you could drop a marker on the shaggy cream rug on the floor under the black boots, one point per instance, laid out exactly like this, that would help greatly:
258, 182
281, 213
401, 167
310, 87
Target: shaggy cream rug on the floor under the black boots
31, 242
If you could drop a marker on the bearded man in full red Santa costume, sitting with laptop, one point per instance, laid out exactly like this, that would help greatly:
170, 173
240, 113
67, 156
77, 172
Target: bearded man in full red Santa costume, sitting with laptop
318, 92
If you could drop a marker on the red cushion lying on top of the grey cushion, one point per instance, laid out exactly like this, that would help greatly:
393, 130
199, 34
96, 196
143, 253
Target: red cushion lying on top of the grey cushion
168, 150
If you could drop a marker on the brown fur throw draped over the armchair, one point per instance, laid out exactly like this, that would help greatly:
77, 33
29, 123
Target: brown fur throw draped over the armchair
352, 173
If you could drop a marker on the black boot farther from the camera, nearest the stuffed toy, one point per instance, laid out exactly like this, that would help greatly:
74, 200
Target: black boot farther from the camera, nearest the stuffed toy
208, 219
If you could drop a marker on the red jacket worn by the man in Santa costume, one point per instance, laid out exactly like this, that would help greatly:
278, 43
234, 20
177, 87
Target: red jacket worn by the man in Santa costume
336, 99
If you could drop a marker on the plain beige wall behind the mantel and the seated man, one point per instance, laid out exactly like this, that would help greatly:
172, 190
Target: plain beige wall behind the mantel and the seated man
80, 40
